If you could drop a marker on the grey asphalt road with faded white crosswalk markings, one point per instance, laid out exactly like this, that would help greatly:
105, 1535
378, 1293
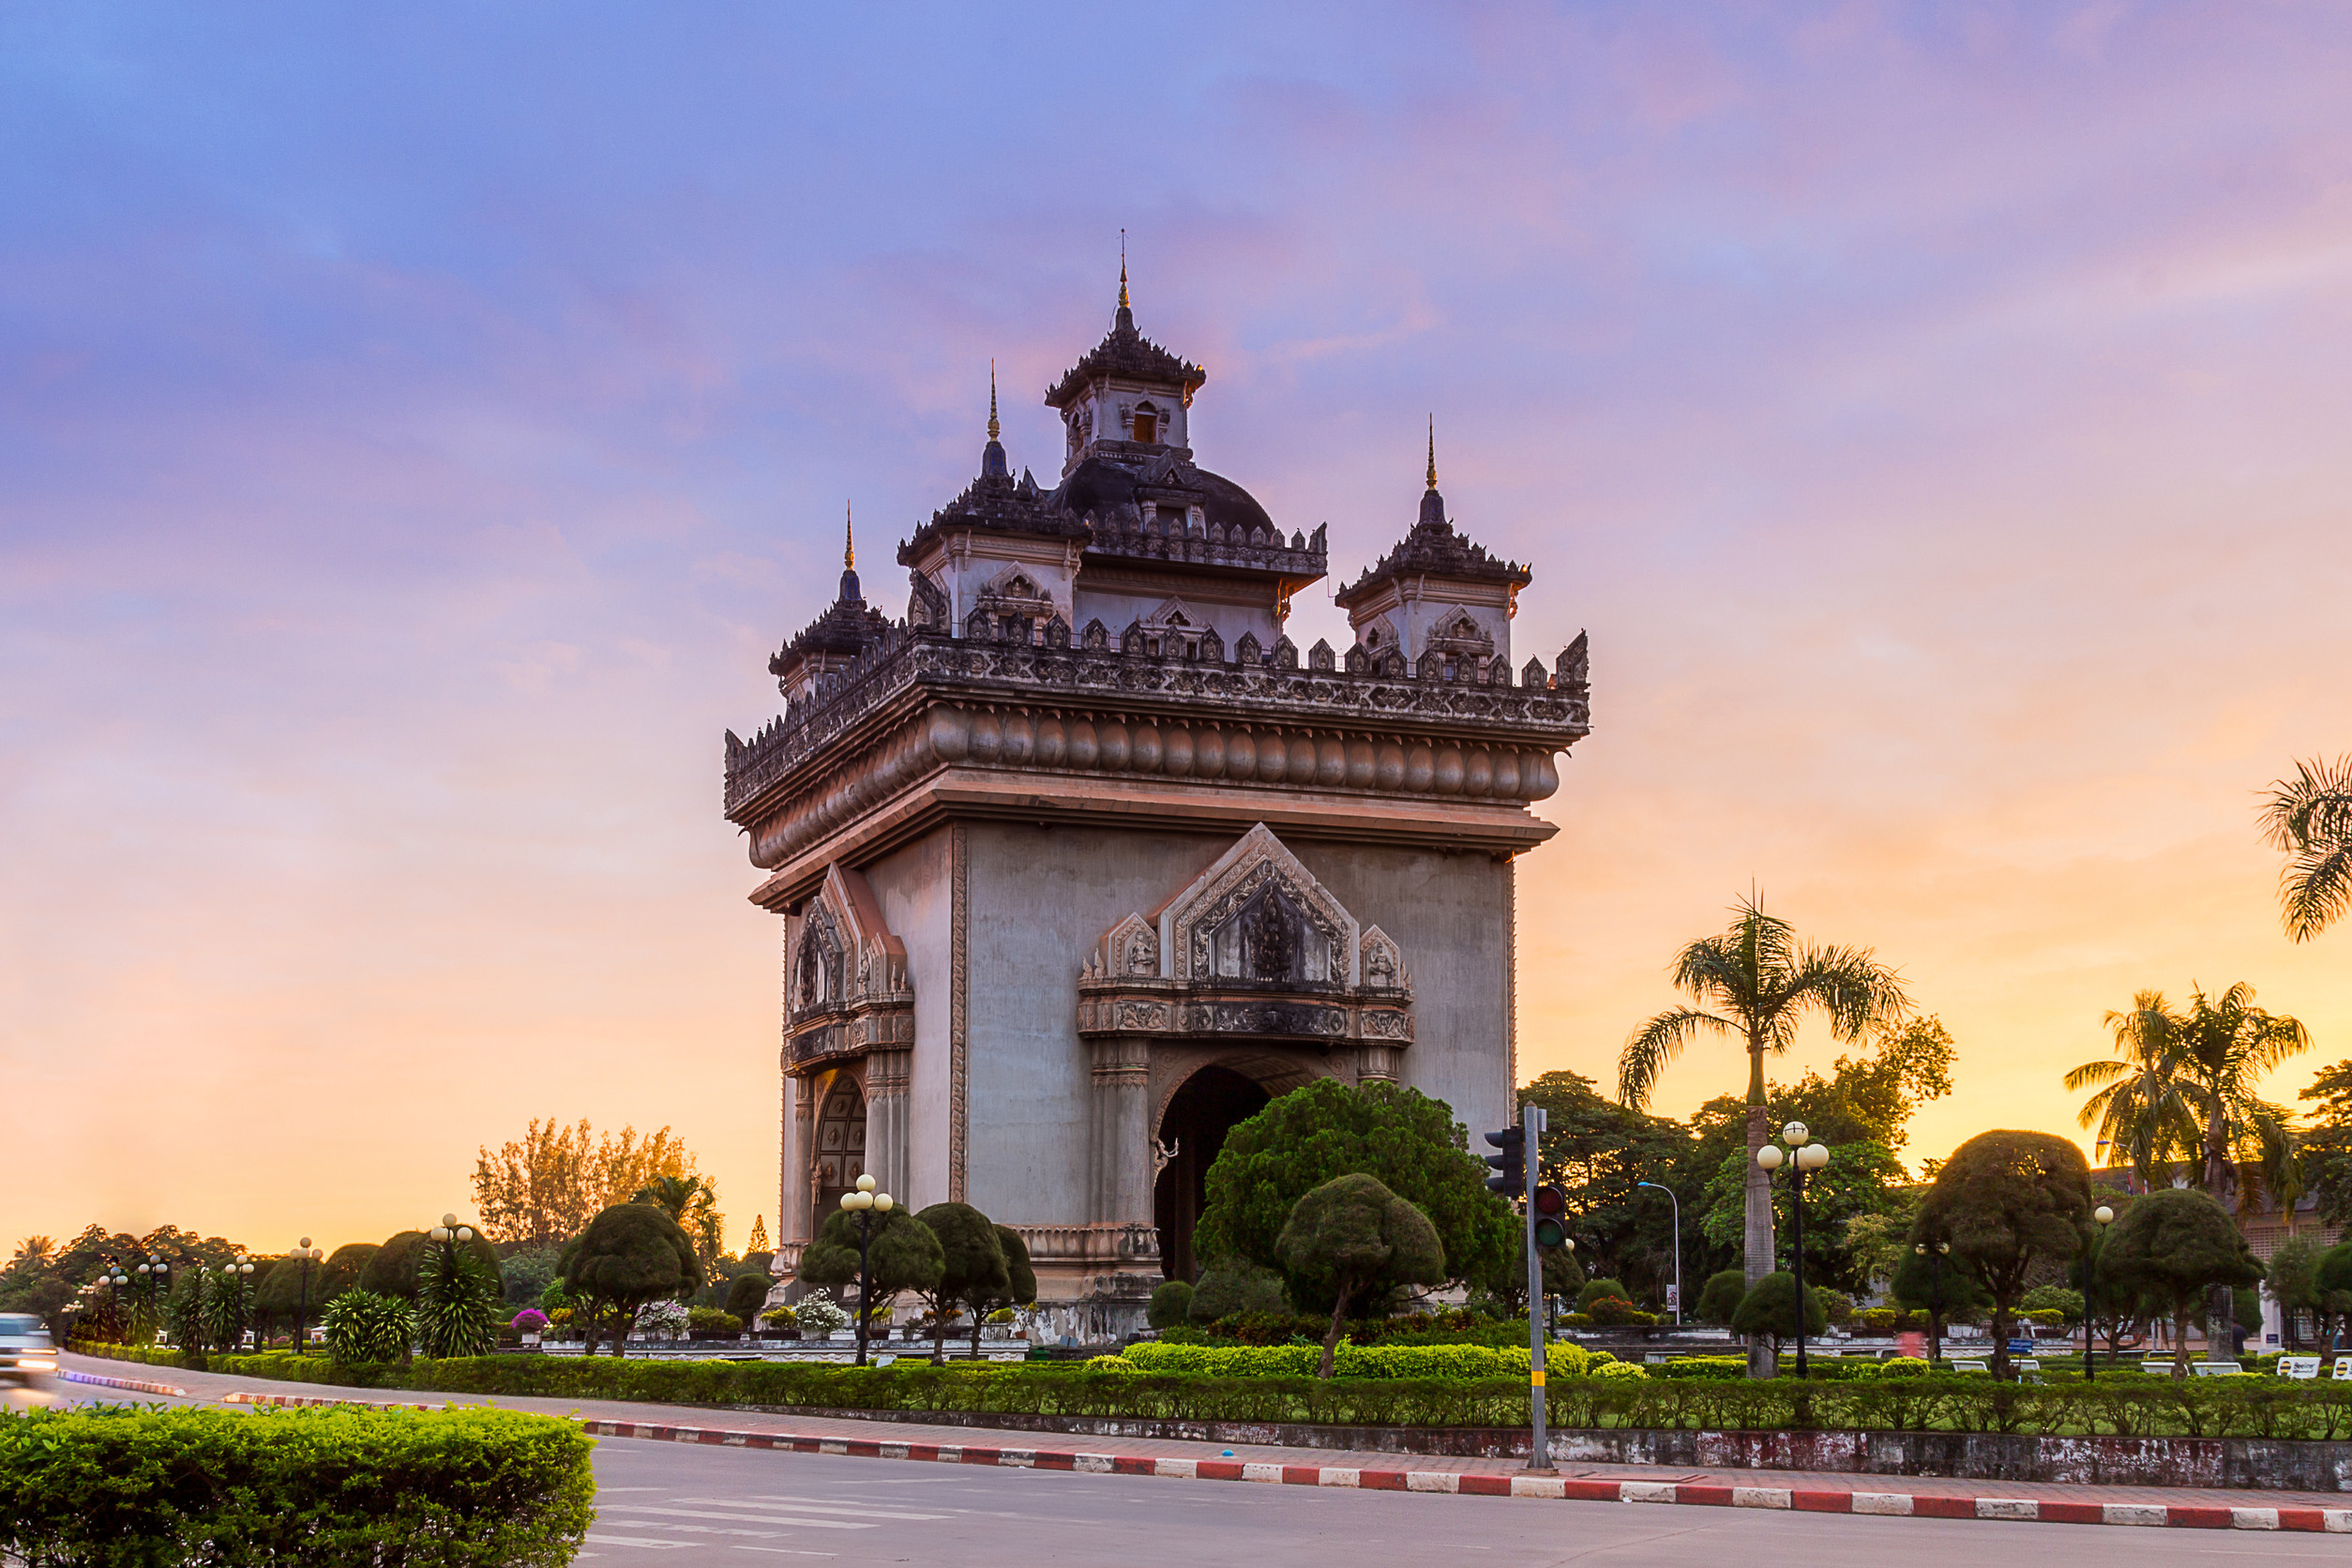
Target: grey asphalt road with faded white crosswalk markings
660, 1501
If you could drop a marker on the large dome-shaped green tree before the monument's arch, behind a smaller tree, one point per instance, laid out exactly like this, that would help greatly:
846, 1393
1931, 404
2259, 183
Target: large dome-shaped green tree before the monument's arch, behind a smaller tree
1403, 1139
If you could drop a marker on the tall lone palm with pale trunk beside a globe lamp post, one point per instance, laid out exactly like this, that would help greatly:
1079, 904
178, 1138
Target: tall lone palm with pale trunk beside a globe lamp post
1763, 981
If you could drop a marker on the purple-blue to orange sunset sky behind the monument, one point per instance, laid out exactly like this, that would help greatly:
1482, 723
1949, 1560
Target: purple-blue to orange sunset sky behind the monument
420, 424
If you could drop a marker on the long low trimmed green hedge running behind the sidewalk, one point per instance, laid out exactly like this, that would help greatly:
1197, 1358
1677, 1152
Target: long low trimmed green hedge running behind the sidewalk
2125, 1407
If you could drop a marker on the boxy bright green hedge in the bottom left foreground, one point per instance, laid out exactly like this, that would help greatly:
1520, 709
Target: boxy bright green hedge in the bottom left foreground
293, 1487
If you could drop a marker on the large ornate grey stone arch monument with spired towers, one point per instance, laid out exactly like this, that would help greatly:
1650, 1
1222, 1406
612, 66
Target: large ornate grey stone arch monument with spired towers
1083, 859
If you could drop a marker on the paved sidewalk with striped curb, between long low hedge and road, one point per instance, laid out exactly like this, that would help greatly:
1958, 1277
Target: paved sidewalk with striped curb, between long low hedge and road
1779, 1489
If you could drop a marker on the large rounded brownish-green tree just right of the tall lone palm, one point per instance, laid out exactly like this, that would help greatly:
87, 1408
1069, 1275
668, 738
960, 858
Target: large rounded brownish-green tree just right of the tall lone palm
2007, 1202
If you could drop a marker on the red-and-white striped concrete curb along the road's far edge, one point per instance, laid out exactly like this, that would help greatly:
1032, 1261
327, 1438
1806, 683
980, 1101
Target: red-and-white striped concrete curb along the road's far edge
1471, 1485
